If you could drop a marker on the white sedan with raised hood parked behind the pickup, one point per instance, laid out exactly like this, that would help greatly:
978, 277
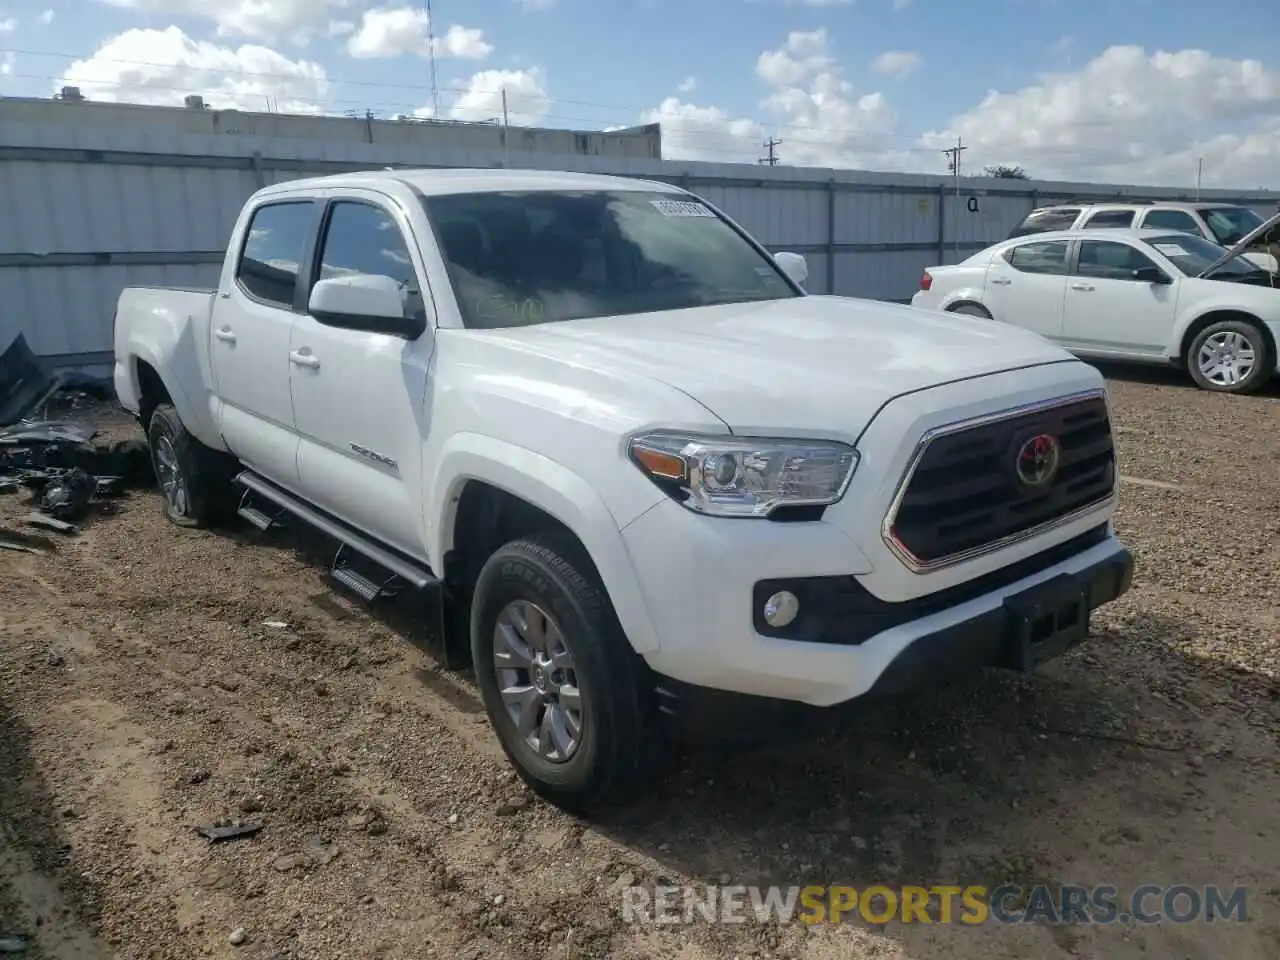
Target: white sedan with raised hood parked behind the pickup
1149, 296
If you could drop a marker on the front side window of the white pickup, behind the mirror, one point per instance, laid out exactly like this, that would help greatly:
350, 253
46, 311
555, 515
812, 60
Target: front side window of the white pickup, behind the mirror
365, 240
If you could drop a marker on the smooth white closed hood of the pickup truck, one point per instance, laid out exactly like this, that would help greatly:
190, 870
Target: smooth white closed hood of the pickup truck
819, 367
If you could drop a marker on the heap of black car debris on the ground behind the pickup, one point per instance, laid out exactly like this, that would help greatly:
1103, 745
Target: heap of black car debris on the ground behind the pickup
57, 455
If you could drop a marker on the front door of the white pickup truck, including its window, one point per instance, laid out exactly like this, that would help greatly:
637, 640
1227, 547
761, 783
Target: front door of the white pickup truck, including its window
360, 397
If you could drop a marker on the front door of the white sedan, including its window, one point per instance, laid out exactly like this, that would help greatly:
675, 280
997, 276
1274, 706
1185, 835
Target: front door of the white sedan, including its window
1109, 312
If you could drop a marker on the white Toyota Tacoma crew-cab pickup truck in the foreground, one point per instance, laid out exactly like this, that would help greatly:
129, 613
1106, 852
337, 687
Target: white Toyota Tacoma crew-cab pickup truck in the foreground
639, 464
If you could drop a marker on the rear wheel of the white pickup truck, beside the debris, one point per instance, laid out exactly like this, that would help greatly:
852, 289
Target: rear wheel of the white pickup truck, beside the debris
199, 491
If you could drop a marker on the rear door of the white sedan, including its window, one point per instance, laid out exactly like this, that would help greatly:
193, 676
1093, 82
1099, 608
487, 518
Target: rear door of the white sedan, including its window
1026, 286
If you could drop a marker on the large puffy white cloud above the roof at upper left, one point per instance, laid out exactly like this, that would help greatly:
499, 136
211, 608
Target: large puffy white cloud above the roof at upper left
164, 66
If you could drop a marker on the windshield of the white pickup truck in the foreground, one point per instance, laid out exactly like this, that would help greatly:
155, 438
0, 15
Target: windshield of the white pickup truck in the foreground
543, 257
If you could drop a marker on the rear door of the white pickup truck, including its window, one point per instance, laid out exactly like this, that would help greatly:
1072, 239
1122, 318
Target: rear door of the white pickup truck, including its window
253, 322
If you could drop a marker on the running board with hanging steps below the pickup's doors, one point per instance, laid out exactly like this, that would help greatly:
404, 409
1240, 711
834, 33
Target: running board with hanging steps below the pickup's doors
400, 569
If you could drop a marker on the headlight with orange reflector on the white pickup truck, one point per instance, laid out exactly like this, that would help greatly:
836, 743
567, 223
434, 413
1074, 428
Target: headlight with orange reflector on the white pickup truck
730, 477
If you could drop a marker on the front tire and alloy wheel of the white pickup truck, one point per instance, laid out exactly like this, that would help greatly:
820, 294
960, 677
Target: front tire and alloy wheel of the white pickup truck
616, 753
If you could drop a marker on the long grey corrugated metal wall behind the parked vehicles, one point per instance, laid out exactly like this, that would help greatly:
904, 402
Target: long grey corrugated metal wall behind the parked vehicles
90, 209
